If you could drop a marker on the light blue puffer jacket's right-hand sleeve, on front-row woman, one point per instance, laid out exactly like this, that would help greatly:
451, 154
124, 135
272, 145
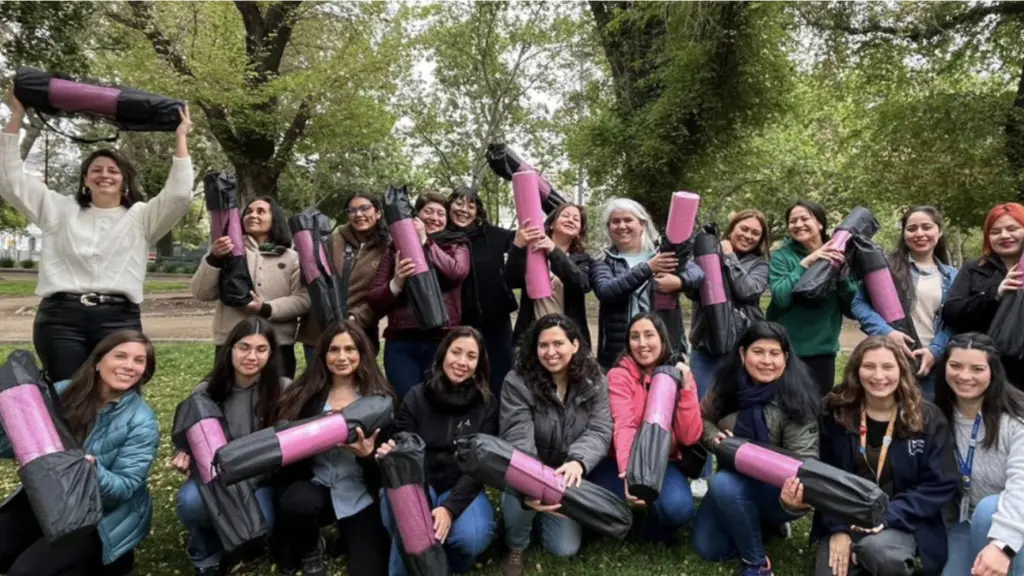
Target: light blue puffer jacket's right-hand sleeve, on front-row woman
132, 466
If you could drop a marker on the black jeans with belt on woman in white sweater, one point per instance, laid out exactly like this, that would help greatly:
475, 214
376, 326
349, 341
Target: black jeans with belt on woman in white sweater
66, 333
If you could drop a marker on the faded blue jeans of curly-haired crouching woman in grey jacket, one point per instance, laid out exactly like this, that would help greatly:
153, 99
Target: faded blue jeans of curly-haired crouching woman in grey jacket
561, 537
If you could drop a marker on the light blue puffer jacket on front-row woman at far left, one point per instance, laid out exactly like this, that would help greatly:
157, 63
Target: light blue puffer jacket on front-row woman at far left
124, 441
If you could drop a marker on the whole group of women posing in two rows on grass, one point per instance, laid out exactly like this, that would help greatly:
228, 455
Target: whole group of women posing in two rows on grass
951, 469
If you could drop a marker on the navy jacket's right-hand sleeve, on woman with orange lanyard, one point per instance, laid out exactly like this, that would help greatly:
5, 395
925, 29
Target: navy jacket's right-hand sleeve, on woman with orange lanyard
937, 481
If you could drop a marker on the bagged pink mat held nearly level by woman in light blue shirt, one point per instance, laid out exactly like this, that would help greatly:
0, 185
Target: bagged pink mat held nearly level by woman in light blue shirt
264, 452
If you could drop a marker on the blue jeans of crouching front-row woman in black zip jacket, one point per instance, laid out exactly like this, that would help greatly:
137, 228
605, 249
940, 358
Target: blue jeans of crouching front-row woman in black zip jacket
470, 538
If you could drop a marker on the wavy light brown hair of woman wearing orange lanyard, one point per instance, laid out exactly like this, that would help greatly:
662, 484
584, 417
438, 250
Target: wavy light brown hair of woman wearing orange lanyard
847, 399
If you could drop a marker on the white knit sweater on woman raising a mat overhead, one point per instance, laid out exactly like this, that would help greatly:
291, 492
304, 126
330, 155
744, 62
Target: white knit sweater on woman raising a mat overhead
93, 250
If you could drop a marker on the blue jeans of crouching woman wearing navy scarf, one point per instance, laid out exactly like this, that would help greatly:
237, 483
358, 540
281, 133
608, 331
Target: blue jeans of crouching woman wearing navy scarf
730, 520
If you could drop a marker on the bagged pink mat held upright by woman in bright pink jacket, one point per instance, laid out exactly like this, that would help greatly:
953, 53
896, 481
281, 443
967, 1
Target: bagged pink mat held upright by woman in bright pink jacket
653, 444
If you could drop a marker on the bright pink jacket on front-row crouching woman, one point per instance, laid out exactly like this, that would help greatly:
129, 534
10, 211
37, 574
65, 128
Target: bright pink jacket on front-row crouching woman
628, 396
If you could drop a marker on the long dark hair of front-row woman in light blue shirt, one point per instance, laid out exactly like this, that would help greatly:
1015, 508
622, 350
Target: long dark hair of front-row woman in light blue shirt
318, 378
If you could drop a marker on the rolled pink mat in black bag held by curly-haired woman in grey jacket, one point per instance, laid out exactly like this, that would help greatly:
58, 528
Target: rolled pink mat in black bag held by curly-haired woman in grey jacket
496, 464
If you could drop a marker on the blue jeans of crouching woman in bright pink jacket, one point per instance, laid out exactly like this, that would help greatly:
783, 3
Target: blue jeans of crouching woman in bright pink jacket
673, 509
